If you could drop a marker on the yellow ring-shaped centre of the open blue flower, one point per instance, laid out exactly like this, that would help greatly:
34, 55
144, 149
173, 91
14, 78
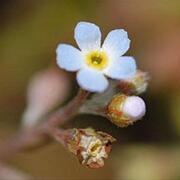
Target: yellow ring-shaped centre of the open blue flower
97, 60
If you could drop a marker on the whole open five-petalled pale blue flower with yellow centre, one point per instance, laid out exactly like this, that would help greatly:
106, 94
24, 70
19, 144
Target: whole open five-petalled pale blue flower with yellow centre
93, 61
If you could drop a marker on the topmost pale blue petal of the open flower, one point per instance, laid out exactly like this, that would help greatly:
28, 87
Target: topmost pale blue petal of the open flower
87, 36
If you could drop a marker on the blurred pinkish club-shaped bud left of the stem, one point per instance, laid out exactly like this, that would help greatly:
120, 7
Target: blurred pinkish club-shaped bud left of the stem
46, 89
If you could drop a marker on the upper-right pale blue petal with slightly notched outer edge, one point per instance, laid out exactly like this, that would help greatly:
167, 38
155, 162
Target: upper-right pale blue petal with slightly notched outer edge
117, 42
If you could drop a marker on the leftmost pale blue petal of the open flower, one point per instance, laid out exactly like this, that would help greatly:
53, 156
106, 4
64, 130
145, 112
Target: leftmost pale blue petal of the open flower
68, 57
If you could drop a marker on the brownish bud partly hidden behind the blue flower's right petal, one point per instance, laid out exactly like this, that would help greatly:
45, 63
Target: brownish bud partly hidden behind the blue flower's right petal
135, 85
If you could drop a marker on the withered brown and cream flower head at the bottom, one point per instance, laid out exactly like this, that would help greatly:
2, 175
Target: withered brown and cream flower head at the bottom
90, 146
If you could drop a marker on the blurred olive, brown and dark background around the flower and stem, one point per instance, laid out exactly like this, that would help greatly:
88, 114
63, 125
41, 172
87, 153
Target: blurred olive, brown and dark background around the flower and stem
29, 33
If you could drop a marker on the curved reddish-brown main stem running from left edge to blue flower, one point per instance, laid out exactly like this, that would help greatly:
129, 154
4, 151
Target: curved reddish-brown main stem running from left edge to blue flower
33, 137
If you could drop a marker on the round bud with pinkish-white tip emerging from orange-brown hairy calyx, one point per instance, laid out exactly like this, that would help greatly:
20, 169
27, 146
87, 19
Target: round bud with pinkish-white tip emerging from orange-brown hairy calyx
124, 110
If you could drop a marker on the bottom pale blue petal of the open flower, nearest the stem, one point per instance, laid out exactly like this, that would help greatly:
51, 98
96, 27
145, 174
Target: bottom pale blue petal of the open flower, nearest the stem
92, 80
